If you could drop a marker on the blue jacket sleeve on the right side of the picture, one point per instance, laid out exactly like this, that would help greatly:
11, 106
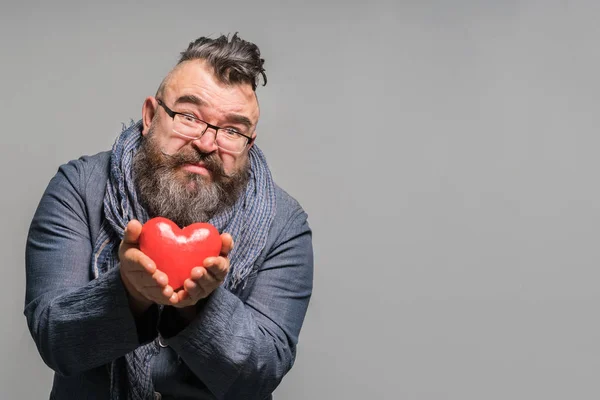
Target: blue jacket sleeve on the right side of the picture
242, 350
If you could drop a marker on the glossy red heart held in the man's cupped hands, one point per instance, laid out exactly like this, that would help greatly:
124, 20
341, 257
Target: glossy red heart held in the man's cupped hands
177, 251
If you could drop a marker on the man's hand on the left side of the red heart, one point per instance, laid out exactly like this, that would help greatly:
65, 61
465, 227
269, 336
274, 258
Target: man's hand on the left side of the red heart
145, 284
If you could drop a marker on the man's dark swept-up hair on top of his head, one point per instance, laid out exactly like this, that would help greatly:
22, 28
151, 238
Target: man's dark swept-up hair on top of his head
234, 60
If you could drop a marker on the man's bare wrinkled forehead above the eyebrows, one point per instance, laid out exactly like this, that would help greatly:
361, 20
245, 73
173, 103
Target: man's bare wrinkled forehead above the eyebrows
197, 78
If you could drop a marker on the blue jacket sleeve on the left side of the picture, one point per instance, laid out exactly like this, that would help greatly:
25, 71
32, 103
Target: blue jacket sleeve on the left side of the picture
77, 323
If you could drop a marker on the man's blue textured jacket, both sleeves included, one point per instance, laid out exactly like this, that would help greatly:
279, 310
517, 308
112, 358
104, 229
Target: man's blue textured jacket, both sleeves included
238, 347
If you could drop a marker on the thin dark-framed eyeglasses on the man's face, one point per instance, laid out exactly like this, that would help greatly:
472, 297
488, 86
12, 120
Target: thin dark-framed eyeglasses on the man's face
193, 128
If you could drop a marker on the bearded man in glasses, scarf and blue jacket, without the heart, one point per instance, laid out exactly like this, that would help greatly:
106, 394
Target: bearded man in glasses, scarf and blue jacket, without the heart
102, 315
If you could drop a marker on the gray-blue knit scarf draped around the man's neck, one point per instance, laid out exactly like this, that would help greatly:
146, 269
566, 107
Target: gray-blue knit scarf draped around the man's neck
248, 222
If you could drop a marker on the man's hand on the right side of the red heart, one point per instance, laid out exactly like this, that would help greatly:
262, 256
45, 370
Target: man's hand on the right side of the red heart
206, 278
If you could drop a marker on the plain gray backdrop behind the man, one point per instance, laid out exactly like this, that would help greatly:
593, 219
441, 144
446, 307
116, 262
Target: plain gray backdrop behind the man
446, 153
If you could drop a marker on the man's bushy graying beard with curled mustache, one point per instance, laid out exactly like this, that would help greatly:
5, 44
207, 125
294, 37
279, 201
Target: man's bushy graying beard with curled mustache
166, 190
